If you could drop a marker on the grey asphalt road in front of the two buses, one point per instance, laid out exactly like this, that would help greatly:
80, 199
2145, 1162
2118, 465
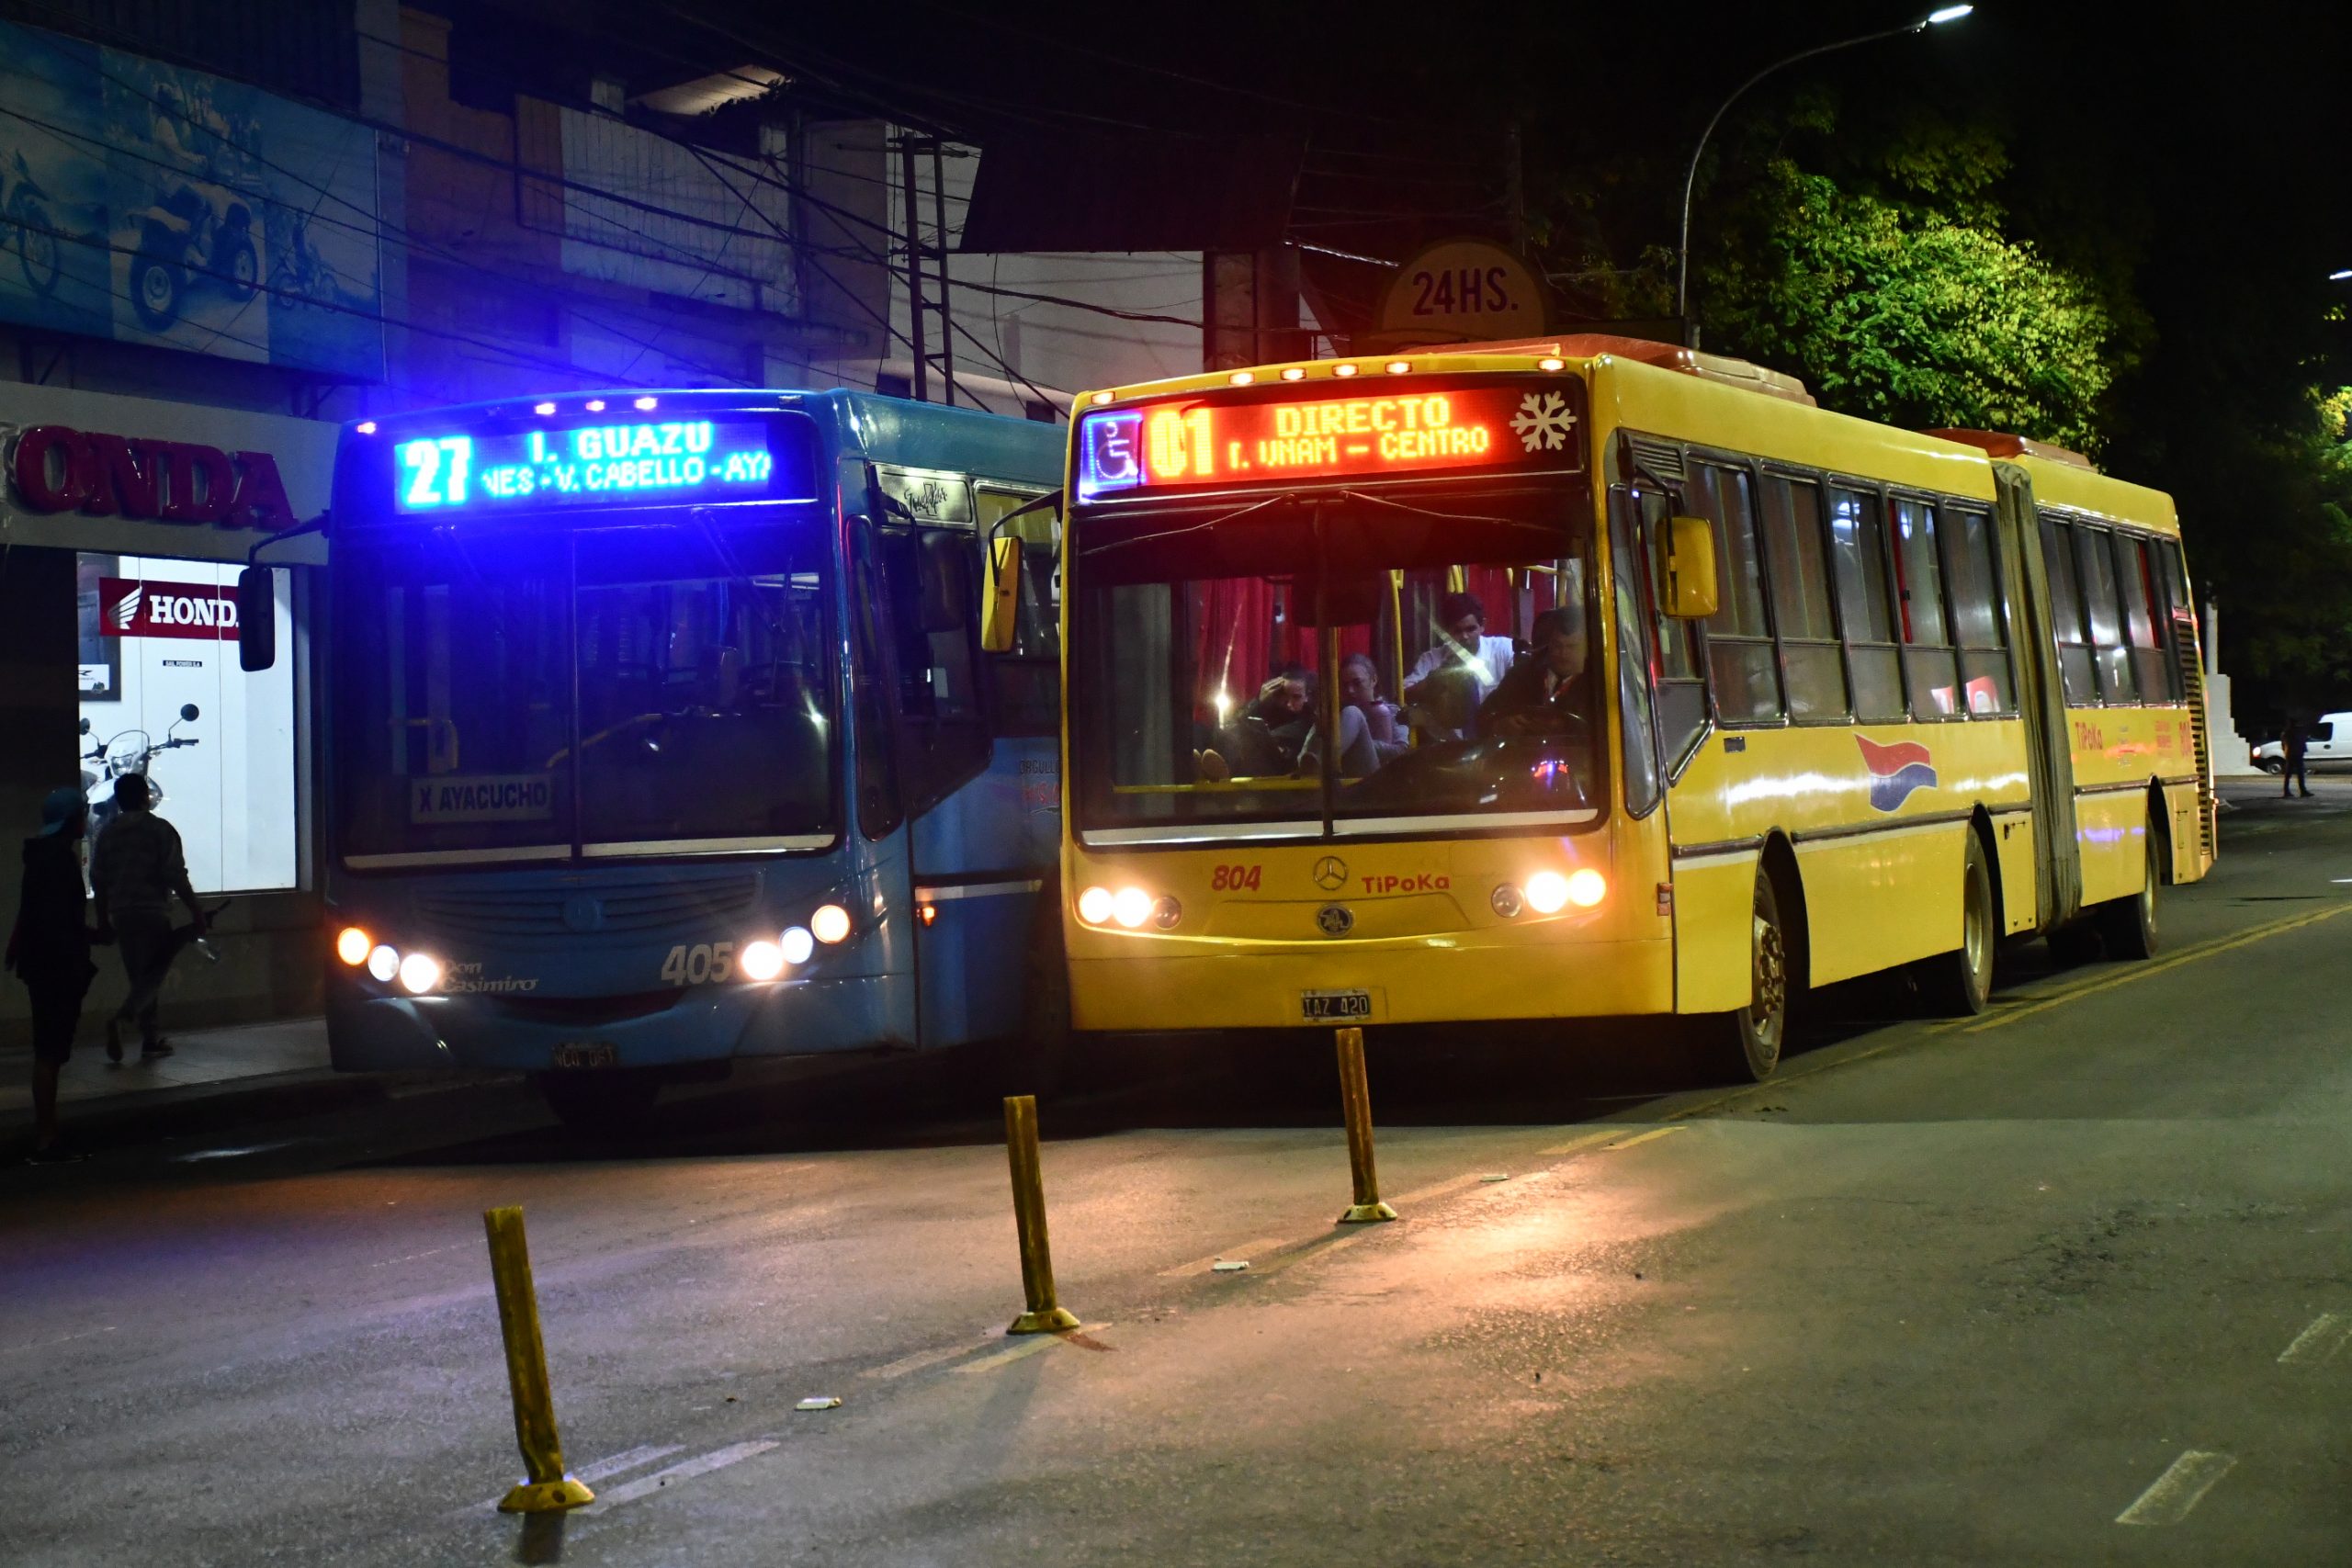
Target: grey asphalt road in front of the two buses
2062, 1285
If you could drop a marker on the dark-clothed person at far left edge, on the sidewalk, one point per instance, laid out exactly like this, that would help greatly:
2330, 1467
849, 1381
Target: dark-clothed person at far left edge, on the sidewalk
51, 953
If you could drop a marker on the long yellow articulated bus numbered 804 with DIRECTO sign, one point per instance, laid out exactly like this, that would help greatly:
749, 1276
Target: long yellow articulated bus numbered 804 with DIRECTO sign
1598, 678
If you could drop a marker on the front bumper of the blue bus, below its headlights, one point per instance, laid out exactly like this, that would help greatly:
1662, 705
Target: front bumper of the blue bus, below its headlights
377, 1033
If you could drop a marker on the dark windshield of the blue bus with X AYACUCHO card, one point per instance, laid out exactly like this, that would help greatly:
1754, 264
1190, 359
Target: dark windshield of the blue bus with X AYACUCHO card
516, 692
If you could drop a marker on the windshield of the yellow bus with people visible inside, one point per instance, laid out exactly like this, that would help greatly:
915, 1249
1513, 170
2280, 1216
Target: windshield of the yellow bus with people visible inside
1443, 641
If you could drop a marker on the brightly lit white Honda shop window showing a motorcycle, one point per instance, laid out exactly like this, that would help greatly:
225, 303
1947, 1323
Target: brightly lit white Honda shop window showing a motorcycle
163, 697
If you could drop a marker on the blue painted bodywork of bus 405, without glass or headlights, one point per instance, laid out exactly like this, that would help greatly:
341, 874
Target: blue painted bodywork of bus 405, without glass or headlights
575, 953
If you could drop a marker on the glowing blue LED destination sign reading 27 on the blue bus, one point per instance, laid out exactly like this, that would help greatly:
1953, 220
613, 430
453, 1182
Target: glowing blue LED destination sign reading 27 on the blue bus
655, 462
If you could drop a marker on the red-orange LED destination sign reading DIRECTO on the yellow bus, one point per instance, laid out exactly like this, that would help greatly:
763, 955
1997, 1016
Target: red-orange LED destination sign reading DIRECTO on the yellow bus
1210, 443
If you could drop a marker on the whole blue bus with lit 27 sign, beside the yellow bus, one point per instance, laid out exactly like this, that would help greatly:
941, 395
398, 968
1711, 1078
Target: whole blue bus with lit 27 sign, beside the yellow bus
660, 735
